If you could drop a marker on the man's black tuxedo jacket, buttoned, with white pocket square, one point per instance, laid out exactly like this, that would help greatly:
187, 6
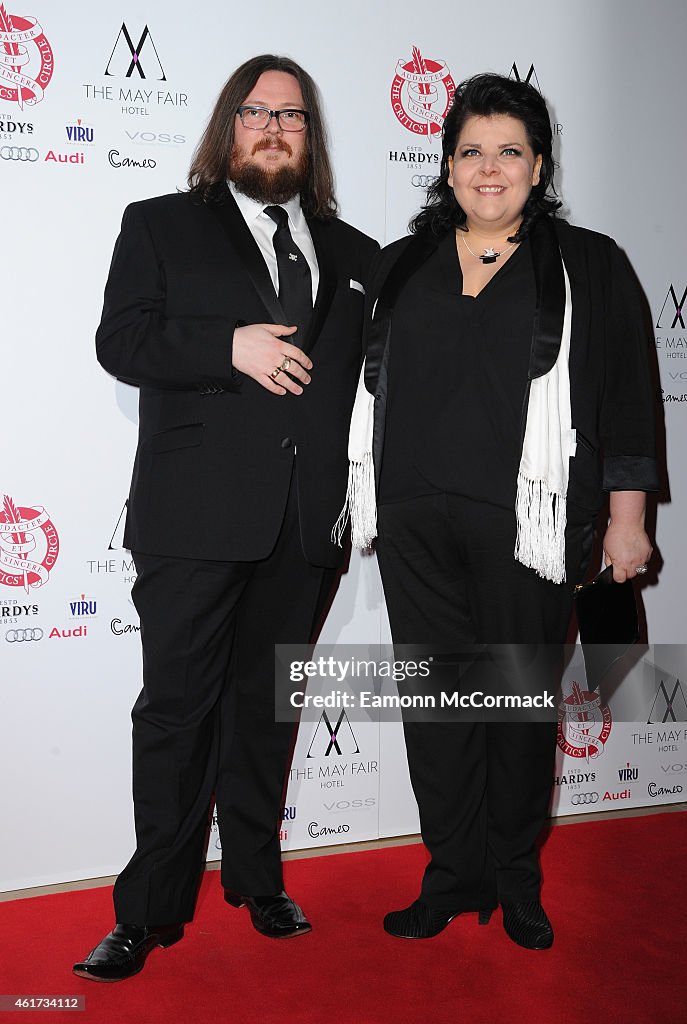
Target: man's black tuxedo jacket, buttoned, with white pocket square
217, 450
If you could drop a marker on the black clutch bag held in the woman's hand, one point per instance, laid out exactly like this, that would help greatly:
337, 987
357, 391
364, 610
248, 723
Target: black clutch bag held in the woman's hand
608, 621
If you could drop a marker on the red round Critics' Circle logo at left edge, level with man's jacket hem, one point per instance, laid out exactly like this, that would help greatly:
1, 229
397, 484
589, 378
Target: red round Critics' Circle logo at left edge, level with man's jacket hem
29, 545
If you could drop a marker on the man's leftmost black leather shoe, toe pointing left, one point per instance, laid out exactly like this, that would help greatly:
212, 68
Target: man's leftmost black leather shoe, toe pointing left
123, 953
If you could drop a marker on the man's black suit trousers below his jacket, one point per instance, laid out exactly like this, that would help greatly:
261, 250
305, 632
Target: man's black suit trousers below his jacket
204, 722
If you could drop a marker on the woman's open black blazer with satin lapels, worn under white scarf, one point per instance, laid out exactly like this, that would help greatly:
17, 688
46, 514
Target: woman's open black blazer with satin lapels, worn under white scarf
614, 409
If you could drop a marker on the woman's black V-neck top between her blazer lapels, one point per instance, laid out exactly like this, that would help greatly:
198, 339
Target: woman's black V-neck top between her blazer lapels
458, 375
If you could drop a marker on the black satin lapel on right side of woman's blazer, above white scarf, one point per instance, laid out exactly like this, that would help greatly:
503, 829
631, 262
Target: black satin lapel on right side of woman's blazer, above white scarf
548, 326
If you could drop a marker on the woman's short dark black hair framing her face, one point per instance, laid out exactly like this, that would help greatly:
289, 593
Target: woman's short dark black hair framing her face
484, 96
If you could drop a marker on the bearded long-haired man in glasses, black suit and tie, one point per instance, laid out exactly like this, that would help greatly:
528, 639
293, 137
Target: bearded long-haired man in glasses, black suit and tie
237, 310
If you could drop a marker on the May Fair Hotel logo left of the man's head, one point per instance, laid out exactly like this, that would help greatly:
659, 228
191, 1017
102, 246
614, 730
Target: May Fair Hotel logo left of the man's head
135, 75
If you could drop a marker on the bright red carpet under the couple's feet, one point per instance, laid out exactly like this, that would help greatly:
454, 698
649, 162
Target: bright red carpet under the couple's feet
615, 891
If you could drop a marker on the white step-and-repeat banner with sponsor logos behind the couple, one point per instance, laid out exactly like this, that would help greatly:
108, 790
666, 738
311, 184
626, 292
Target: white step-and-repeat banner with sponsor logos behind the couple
103, 107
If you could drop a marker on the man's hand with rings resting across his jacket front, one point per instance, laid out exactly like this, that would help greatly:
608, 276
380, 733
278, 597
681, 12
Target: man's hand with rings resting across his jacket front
260, 350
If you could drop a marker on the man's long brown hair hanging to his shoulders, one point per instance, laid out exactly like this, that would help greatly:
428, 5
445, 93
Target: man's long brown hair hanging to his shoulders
211, 160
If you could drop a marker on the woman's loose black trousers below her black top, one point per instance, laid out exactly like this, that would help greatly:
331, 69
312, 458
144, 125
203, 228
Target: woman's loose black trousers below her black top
483, 788
